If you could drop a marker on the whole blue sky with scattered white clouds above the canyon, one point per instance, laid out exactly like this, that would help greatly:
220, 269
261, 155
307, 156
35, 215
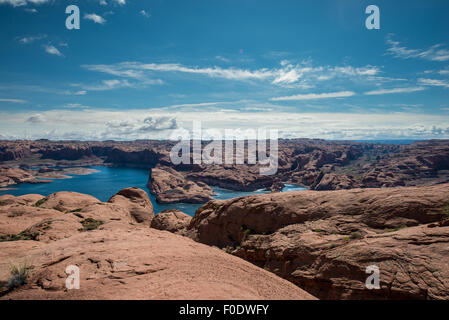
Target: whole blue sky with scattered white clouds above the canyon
141, 69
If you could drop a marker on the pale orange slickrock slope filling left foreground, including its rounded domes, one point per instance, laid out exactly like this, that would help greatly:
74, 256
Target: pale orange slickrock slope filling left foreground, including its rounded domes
118, 257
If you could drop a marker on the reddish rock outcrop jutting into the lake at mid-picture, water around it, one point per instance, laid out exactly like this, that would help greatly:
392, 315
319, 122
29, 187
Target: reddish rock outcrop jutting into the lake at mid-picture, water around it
171, 186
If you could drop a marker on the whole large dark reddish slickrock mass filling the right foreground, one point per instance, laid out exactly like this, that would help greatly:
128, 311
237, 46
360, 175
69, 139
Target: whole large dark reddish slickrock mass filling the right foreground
323, 241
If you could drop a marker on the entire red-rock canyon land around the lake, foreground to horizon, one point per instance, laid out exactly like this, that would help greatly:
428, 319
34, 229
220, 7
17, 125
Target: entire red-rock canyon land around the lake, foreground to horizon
367, 204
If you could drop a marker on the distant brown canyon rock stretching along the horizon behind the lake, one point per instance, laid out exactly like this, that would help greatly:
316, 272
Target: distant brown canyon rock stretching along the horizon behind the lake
316, 164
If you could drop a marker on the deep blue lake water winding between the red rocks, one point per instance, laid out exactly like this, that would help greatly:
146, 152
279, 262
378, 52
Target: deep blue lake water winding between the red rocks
109, 180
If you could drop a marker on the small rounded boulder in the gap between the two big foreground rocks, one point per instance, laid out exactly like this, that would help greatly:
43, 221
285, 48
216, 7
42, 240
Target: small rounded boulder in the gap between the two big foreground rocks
171, 220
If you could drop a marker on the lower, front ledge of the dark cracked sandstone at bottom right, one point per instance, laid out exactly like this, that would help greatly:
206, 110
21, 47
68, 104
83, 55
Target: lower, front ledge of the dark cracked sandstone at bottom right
412, 262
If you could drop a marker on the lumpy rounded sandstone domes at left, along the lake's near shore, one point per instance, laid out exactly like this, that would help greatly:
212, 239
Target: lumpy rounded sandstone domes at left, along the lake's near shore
61, 214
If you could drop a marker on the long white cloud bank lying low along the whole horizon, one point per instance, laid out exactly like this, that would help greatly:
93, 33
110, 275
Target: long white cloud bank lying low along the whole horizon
96, 124
